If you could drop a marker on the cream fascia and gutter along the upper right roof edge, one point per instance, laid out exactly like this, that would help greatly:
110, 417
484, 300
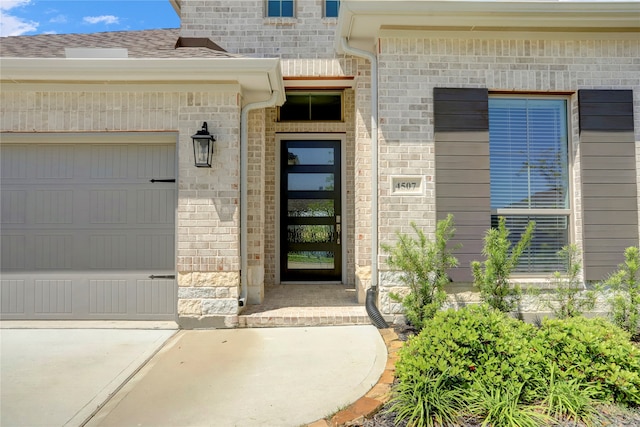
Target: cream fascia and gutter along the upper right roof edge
361, 21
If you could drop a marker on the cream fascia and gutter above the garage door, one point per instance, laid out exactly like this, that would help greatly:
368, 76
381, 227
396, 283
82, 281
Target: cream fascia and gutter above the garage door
257, 77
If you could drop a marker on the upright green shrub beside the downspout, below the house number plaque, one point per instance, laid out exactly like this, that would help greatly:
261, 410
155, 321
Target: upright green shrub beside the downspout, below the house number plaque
424, 264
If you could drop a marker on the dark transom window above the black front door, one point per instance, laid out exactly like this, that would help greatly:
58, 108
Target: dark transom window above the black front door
307, 106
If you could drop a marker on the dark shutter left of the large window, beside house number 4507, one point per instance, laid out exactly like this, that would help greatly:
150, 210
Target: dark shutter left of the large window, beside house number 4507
461, 122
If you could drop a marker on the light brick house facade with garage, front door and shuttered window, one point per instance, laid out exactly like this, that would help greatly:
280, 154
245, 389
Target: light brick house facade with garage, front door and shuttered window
396, 113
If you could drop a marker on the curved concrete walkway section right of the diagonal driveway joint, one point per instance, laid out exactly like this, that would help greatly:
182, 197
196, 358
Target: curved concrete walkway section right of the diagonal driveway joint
250, 377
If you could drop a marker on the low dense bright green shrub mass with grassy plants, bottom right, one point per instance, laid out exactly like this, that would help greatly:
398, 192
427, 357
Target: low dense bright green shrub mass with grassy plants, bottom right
509, 373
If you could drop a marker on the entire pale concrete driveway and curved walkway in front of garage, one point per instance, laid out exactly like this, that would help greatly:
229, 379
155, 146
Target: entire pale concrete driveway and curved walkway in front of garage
242, 377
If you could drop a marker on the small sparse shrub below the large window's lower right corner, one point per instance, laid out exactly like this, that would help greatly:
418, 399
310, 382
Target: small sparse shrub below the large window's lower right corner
569, 297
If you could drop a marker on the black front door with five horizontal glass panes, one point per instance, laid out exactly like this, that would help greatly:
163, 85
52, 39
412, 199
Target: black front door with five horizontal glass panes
310, 211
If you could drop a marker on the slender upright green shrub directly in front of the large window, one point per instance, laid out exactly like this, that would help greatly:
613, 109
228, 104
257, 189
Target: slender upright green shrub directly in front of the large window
492, 276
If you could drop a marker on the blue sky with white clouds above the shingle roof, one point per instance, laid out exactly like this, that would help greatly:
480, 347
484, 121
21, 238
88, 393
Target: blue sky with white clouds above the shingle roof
28, 17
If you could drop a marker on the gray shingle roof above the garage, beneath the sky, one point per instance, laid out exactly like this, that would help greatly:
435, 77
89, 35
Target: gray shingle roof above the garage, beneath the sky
140, 44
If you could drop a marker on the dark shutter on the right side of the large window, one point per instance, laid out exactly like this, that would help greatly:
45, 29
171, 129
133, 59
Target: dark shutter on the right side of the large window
609, 185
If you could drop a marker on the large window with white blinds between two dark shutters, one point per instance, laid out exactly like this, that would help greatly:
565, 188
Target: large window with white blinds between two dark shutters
529, 167
